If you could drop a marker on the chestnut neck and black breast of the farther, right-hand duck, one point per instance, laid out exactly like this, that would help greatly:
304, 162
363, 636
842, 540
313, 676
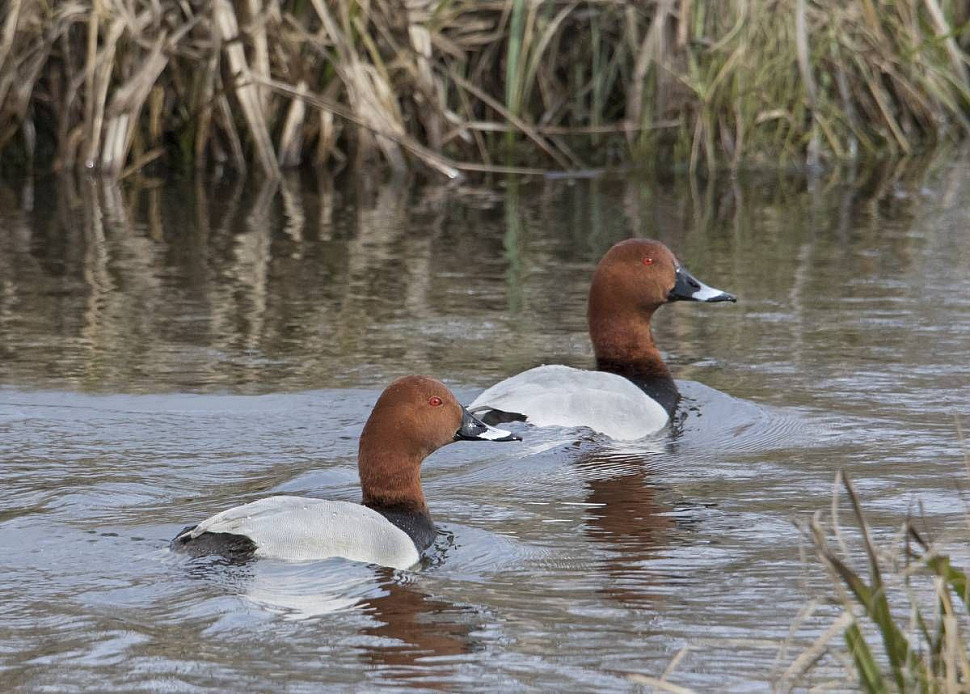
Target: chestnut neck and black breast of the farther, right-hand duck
624, 345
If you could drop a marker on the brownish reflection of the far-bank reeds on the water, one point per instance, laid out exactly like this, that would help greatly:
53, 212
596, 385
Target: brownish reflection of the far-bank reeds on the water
203, 286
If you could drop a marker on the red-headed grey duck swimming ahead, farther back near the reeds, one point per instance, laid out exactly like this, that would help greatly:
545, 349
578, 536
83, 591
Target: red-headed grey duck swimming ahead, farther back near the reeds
631, 393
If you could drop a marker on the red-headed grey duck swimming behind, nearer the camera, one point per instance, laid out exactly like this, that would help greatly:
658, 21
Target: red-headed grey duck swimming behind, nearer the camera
391, 526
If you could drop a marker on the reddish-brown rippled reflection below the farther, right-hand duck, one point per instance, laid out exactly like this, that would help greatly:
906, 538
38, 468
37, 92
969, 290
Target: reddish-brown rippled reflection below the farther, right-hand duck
625, 516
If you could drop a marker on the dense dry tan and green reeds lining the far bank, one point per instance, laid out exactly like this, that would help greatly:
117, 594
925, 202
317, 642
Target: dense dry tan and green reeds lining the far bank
466, 85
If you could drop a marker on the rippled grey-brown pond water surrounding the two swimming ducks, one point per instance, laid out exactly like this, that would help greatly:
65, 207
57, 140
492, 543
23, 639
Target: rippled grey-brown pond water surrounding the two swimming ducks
169, 350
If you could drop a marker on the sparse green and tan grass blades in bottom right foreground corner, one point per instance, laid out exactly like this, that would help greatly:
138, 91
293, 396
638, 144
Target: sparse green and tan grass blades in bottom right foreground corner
905, 628
